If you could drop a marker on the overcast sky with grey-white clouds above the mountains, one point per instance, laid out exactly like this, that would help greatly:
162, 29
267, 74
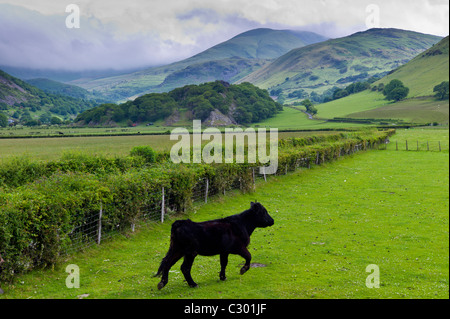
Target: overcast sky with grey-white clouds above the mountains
136, 33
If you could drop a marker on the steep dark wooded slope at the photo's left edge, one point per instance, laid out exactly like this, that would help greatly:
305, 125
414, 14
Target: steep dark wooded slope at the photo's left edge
27, 104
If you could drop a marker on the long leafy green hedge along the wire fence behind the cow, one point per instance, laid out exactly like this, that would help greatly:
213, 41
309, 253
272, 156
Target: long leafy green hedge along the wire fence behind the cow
38, 218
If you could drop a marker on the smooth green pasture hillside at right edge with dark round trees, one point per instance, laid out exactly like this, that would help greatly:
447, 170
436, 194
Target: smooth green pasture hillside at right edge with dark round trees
420, 75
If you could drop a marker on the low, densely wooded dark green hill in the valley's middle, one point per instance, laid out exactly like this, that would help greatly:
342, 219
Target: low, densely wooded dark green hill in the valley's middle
215, 103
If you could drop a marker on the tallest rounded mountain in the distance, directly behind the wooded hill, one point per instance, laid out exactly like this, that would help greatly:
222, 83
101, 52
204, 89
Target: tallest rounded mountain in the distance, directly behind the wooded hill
229, 61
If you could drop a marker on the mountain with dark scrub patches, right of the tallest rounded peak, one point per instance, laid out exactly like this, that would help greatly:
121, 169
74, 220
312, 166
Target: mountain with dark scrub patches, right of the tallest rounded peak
338, 62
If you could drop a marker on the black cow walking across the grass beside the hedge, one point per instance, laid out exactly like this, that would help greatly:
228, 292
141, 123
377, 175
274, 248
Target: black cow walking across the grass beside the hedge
229, 235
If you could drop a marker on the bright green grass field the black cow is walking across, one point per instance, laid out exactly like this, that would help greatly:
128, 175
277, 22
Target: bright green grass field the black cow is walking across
388, 208
